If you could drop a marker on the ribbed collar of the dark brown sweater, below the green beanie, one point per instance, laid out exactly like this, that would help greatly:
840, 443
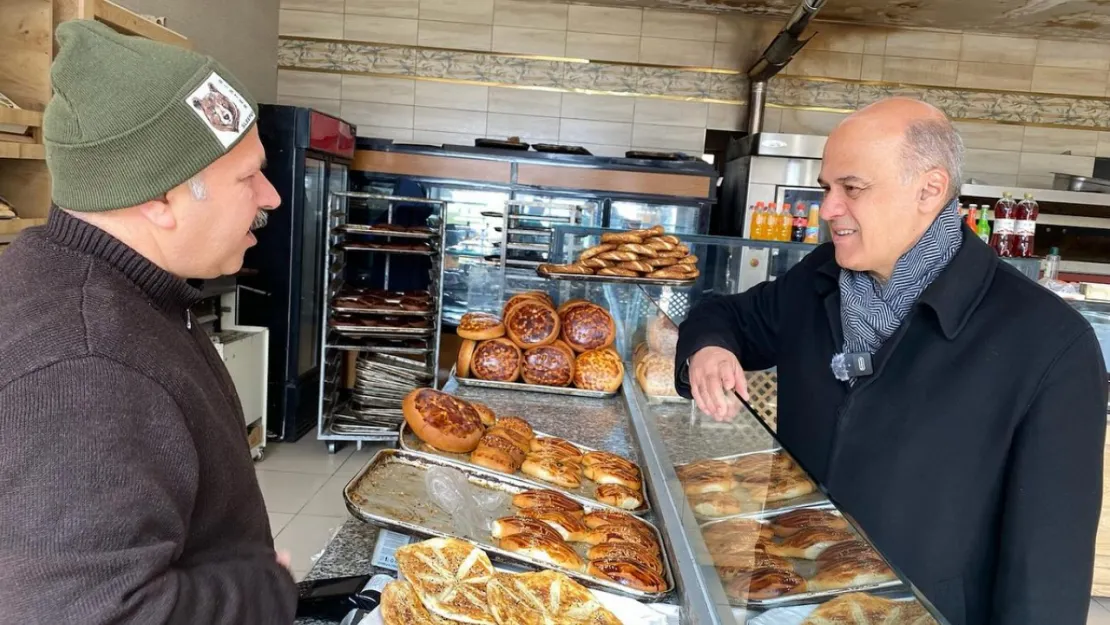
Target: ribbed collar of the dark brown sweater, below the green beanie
167, 291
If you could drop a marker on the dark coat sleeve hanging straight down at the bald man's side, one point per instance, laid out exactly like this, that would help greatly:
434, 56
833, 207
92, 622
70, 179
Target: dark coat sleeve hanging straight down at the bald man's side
1054, 495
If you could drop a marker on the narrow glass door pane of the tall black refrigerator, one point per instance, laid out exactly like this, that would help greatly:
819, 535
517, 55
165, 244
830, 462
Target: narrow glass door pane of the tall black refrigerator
311, 258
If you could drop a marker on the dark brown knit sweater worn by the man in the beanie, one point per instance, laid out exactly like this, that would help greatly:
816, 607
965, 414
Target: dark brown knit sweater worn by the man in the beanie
127, 489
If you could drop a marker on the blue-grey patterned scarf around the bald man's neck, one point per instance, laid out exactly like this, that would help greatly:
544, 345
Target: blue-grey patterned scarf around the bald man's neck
872, 312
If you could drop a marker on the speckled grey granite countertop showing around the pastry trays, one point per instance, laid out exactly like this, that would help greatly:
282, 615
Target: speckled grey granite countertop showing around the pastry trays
602, 425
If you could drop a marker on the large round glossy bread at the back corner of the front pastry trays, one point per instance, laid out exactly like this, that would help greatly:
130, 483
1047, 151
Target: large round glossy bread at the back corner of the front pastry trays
443, 421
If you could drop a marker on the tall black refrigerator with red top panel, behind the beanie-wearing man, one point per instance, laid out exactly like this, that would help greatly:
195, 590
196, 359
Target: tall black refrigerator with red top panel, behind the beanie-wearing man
308, 155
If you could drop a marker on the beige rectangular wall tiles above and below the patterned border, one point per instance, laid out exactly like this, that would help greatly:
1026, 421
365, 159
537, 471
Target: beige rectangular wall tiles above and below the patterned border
437, 112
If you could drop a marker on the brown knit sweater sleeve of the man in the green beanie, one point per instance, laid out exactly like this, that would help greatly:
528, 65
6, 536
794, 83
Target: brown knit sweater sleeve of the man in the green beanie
98, 480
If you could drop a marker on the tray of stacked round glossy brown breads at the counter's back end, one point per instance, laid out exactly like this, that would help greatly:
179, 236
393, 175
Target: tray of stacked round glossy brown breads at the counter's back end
536, 346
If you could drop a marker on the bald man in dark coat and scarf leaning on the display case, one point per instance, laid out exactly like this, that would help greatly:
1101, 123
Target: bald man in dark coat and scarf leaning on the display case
953, 407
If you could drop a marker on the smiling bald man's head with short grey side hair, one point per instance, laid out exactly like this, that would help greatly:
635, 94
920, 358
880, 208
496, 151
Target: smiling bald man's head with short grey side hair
889, 172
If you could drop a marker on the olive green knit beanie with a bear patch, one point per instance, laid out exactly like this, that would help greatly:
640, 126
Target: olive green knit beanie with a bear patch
132, 119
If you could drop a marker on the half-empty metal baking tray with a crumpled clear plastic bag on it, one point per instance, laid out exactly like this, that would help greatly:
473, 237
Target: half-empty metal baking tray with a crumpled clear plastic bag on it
389, 492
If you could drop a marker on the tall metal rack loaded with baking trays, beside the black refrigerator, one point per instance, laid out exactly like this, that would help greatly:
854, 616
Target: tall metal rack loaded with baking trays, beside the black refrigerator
351, 410
